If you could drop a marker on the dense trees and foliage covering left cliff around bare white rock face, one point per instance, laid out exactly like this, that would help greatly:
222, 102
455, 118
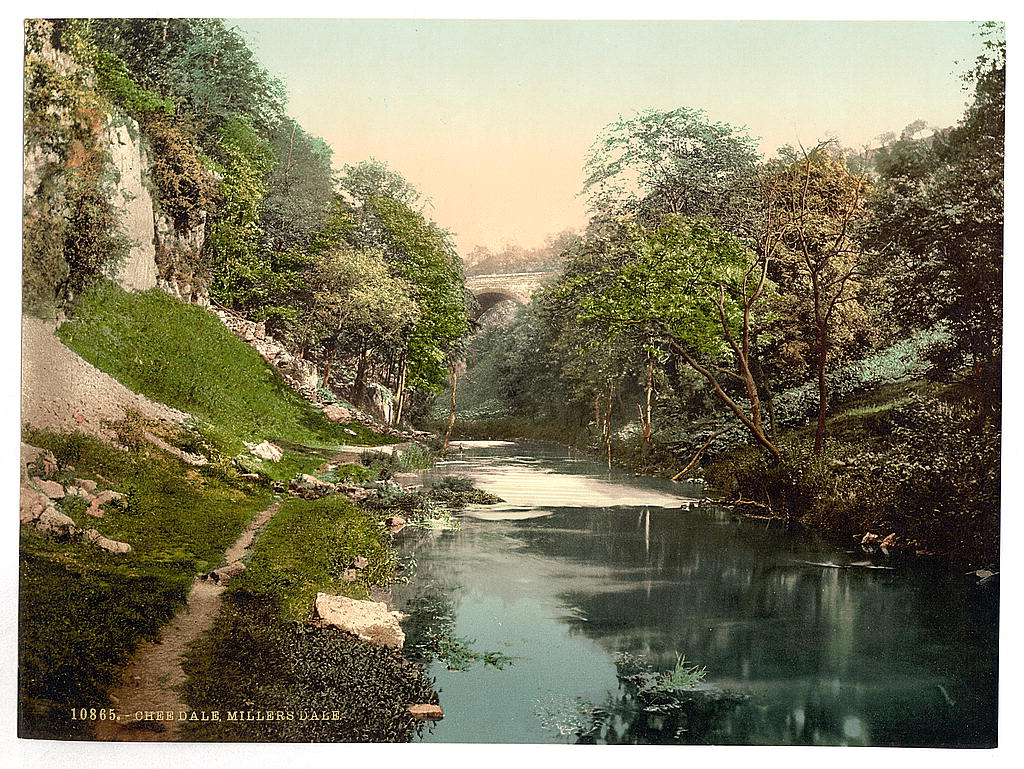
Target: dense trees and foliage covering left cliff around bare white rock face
283, 240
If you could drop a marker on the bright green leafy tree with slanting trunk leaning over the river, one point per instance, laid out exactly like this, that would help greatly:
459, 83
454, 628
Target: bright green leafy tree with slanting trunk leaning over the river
699, 291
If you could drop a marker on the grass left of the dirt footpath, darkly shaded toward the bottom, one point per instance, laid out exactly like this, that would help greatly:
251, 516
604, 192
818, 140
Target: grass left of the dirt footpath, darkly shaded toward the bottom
82, 611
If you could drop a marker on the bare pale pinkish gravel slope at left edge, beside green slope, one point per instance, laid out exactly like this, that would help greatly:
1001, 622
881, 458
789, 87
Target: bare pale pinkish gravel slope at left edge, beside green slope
62, 393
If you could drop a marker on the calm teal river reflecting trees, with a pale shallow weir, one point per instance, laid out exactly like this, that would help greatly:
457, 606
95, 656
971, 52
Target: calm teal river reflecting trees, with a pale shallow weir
803, 643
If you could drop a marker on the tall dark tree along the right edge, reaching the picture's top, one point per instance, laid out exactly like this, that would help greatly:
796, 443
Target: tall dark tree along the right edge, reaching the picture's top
937, 224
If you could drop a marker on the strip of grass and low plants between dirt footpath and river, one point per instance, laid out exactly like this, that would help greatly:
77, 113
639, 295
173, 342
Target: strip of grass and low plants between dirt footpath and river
261, 656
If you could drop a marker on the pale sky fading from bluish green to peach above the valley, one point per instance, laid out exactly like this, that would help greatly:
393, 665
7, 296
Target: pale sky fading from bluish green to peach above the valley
491, 120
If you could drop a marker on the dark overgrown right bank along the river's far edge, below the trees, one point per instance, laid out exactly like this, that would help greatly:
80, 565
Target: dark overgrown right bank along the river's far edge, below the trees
905, 465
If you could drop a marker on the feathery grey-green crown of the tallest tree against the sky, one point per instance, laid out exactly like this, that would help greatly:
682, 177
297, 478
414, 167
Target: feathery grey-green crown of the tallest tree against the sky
675, 162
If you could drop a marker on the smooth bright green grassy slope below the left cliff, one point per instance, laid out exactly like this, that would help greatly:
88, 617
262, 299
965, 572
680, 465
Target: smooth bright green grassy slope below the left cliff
183, 356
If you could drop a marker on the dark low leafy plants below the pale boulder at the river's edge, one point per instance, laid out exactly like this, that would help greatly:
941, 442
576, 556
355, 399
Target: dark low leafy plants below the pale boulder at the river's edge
251, 662
